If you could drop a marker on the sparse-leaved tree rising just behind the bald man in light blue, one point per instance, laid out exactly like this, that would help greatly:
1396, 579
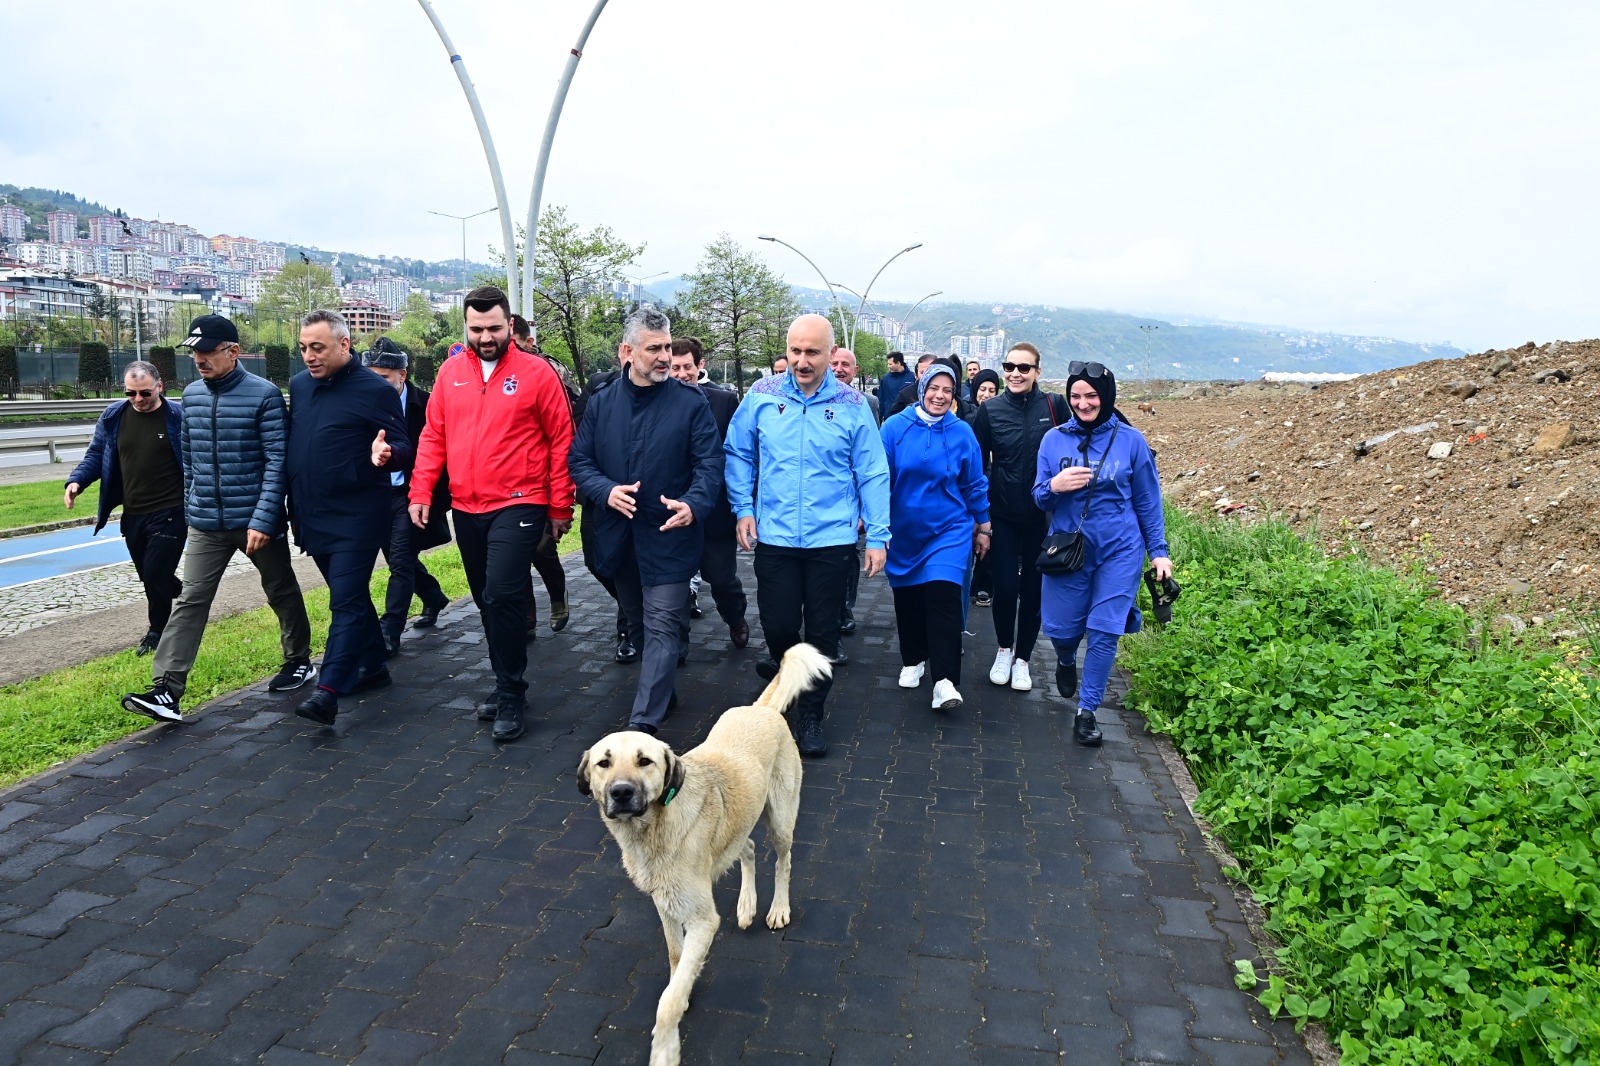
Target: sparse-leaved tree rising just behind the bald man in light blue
743, 310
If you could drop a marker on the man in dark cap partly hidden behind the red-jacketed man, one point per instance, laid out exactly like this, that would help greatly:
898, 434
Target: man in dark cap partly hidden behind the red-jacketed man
407, 574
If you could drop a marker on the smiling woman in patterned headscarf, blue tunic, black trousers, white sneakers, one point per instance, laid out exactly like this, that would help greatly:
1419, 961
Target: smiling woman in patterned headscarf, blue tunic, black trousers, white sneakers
938, 518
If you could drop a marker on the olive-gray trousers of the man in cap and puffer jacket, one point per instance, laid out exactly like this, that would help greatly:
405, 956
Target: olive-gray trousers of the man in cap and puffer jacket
206, 561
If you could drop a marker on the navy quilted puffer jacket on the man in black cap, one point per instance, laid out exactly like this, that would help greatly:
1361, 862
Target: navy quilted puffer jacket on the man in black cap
236, 443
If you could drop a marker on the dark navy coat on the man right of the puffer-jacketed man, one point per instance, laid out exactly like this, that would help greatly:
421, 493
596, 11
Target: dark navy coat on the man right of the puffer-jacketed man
338, 499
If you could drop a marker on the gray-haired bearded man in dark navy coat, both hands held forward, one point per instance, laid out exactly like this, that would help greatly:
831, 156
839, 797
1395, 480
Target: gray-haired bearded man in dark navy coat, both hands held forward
650, 454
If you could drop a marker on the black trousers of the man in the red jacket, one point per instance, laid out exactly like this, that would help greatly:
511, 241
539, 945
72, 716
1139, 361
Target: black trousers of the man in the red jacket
497, 551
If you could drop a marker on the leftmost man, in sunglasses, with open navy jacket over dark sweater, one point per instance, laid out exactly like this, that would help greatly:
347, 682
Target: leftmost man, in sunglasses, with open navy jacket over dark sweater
137, 454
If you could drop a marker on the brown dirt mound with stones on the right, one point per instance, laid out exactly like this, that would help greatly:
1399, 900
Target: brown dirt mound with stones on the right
1484, 470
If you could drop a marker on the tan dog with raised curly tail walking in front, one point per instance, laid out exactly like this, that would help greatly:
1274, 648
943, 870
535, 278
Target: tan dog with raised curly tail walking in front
682, 822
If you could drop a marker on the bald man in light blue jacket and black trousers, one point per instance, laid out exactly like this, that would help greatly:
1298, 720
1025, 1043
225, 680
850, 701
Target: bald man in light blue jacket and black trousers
806, 467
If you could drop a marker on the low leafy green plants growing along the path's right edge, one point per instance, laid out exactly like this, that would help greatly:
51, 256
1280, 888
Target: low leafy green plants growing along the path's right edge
1414, 801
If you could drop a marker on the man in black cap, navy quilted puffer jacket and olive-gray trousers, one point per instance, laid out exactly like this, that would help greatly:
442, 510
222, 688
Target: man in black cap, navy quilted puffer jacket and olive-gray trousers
236, 438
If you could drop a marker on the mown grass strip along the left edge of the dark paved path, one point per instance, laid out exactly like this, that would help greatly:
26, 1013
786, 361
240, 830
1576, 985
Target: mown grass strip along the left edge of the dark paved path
74, 711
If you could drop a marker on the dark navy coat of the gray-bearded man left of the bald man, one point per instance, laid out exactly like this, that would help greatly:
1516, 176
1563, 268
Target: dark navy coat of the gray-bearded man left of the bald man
666, 439
